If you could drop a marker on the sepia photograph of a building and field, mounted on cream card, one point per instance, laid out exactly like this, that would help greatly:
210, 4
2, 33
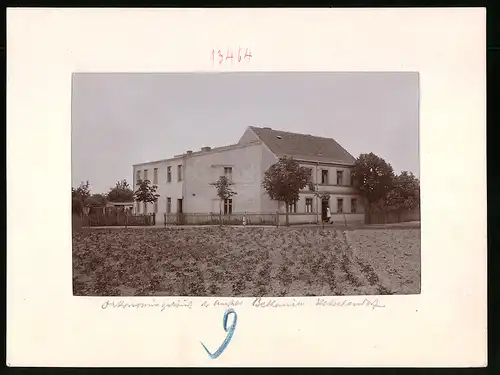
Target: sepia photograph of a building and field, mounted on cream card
247, 184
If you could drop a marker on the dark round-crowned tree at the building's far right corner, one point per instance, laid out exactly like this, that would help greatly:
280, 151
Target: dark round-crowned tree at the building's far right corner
373, 177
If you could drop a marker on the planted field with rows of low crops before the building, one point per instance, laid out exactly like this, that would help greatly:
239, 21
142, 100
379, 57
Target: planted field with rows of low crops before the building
245, 262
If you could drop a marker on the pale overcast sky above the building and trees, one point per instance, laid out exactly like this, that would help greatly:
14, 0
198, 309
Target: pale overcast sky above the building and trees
123, 119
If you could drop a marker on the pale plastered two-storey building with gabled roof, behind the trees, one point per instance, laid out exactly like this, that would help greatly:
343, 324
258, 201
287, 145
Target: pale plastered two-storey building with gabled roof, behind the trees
184, 181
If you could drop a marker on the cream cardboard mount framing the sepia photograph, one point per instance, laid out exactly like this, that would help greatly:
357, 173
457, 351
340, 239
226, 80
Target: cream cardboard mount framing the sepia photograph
450, 43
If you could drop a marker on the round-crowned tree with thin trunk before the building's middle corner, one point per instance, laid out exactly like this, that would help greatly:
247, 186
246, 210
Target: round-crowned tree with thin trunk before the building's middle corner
283, 181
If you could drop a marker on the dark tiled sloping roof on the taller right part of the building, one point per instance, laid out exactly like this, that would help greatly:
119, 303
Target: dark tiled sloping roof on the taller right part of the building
303, 146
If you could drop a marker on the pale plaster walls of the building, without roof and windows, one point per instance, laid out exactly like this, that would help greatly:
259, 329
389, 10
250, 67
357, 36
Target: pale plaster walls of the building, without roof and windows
249, 161
